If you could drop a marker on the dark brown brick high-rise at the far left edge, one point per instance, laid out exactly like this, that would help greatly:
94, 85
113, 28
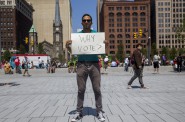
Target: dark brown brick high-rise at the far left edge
15, 22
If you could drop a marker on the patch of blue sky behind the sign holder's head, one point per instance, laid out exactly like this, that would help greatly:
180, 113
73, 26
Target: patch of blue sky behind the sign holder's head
80, 7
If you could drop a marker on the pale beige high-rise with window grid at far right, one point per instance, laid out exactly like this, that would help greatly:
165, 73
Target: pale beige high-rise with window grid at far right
169, 16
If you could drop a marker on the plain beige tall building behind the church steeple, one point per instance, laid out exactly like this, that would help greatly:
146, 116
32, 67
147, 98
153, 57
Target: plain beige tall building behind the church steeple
44, 15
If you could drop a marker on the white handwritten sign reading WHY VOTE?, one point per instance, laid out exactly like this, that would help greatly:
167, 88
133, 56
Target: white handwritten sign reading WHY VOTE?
88, 43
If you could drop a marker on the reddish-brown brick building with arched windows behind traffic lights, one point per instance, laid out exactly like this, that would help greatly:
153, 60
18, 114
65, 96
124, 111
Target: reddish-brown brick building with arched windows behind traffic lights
126, 23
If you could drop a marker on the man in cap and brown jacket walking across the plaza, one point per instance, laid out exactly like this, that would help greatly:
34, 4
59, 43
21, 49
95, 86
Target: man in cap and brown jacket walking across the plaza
137, 66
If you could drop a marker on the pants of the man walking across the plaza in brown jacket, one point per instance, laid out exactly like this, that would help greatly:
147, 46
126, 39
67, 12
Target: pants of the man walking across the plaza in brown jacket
137, 73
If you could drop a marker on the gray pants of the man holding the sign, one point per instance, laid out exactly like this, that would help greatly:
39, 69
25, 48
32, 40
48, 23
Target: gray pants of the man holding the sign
93, 71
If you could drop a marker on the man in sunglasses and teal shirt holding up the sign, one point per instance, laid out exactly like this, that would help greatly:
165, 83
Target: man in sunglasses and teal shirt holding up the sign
87, 66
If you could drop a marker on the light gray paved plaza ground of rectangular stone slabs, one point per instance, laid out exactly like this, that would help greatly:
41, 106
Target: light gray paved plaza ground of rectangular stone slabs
47, 97
